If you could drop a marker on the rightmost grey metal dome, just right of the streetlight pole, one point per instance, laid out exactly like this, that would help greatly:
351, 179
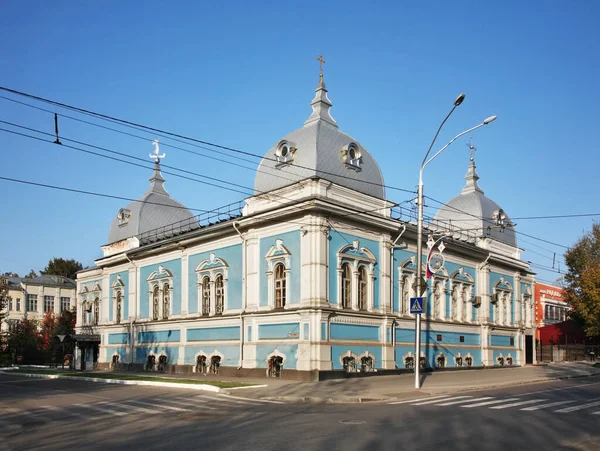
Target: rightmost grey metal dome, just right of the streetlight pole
471, 210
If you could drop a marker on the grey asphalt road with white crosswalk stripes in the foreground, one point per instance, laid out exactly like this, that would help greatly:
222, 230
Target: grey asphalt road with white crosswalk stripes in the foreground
54, 414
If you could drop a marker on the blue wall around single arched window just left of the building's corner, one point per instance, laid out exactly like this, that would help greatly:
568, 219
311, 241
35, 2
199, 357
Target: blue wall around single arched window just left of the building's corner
291, 240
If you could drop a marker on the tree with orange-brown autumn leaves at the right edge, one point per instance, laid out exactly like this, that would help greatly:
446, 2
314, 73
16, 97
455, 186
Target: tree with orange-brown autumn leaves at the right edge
582, 280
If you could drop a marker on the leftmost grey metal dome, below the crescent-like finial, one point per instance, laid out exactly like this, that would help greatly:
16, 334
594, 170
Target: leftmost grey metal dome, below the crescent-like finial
153, 210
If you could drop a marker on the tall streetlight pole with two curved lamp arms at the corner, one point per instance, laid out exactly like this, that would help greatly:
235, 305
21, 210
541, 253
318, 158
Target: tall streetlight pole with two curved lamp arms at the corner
425, 162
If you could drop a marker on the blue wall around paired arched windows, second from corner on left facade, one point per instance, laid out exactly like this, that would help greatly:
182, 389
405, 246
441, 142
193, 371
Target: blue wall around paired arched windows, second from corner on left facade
233, 256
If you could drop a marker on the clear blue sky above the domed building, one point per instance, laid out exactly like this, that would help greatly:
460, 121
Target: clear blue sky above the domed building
242, 74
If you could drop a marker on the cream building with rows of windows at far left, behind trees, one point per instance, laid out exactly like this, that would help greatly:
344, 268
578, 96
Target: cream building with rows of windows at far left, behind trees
33, 297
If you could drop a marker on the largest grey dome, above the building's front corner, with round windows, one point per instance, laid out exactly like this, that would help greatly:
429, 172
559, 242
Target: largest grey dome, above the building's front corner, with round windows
320, 149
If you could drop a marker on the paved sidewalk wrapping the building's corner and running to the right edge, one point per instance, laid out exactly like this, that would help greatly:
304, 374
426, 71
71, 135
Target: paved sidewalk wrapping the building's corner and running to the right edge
390, 388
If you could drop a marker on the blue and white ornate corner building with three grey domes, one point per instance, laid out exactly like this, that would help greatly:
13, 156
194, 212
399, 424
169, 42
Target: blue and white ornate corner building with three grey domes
312, 274
